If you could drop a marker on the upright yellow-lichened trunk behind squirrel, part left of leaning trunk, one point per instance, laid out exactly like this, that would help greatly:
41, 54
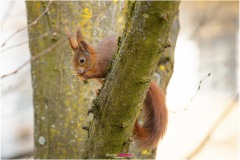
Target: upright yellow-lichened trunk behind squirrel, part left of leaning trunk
60, 100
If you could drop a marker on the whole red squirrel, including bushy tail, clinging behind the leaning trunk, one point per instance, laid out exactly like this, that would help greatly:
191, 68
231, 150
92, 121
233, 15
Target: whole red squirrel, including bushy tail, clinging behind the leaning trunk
93, 62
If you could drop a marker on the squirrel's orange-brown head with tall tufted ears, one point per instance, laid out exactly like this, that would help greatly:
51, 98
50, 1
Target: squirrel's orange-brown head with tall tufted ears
83, 53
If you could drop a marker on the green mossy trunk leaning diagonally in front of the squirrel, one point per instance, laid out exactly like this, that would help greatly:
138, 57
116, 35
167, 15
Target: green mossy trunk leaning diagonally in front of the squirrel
115, 110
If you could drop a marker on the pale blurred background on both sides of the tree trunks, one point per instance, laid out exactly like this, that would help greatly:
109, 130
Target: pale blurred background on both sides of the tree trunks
203, 123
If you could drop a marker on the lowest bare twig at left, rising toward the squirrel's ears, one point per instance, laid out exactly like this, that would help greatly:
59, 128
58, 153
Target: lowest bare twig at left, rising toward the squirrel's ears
35, 58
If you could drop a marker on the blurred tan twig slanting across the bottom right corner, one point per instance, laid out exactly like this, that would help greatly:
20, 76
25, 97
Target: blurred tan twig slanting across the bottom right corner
219, 120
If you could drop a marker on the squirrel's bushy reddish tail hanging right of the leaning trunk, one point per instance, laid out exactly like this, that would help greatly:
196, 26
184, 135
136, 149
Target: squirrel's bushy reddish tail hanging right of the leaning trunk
155, 119
